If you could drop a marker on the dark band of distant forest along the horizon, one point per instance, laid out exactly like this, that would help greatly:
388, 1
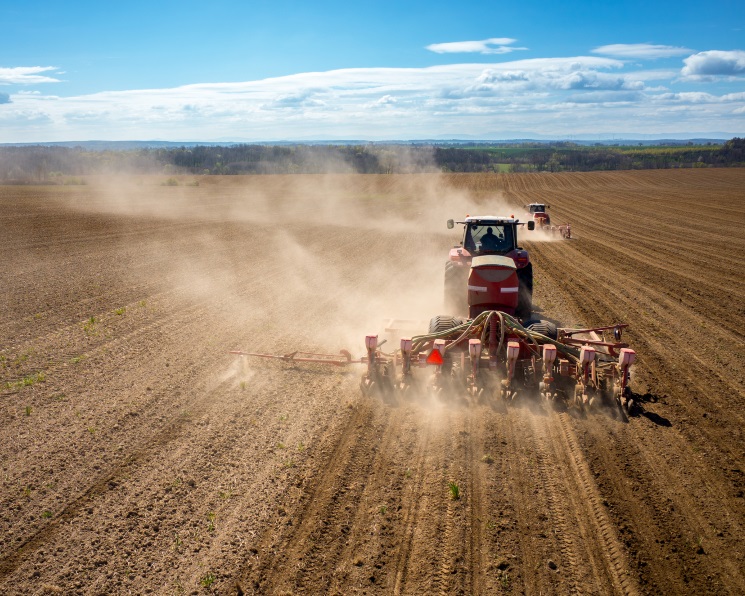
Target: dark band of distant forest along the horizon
68, 165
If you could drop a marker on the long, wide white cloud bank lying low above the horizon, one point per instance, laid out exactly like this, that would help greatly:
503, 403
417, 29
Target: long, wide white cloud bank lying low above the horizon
568, 95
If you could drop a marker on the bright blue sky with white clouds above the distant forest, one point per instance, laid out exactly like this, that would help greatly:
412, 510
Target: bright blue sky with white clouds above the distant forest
277, 70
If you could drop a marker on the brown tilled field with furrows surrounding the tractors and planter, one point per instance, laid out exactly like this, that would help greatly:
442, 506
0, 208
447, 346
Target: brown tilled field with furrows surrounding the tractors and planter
138, 456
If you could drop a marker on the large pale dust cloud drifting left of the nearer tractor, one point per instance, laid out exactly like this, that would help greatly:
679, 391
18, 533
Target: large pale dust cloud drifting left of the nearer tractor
309, 262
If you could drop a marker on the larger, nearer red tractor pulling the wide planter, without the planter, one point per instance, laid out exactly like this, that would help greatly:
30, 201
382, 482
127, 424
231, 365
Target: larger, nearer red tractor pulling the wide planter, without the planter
488, 270
